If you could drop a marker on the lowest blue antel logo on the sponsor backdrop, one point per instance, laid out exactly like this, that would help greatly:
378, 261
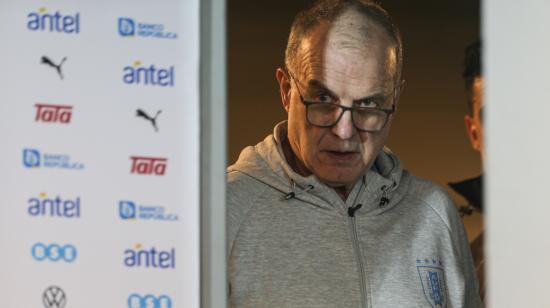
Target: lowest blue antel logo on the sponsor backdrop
150, 258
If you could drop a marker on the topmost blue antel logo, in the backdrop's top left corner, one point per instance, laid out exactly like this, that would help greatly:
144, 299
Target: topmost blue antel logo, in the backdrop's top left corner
42, 20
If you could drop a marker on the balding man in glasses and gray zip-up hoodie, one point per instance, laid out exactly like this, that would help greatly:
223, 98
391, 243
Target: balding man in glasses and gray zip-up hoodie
319, 214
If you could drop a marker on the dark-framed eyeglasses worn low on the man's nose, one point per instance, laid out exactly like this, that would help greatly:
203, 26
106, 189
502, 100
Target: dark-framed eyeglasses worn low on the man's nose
365, 119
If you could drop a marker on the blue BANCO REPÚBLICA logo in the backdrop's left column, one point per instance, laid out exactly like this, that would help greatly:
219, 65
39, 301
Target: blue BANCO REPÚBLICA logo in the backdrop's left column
34, 159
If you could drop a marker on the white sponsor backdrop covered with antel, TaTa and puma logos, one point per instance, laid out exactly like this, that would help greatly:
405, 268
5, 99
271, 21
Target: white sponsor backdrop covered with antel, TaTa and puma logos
100, 154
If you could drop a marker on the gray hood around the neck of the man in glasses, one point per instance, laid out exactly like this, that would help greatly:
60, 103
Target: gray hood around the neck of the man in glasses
378, 190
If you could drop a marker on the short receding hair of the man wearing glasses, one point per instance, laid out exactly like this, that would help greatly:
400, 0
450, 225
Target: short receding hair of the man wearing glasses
326, 11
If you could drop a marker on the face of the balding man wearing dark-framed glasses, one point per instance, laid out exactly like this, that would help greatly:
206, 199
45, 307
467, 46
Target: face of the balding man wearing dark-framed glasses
339, 66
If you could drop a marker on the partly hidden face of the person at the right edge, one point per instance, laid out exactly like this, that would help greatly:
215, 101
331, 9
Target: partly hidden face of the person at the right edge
474, 122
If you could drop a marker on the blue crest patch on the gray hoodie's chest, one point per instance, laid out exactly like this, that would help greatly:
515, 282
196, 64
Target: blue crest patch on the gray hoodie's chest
432, 279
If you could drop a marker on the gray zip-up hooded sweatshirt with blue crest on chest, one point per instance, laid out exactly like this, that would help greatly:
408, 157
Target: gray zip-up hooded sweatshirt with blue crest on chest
397, 241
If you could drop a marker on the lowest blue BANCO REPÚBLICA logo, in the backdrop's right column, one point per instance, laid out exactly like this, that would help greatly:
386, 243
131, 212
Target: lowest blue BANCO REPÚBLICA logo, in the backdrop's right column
129, 210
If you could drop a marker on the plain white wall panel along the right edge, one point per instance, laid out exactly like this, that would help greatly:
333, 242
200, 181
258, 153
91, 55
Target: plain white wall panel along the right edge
517, 45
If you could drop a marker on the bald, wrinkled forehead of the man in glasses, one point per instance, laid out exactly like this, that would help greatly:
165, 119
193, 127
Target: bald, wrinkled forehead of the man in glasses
341, 38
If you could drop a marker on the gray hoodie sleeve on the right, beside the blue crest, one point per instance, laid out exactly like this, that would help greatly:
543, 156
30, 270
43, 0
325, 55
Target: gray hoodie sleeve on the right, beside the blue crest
442, 203
